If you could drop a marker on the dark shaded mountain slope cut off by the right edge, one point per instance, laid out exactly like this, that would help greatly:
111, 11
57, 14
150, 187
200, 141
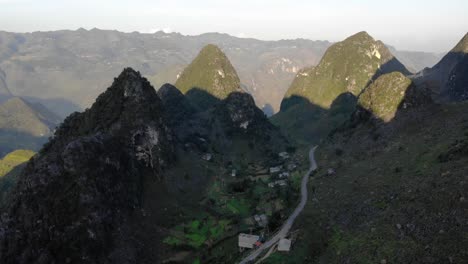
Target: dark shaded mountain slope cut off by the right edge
447, 79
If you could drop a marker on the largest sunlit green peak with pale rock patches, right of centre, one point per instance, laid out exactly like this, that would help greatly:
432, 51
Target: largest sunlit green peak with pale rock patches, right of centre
347, 66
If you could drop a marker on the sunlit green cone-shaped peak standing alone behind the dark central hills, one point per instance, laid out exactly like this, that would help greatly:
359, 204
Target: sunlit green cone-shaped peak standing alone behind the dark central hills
210, 72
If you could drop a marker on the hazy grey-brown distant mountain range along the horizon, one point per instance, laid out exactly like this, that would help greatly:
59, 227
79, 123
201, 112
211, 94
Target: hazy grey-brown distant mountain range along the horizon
66, 70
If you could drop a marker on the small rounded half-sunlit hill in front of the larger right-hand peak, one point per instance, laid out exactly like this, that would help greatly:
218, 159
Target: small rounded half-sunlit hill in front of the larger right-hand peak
390, 93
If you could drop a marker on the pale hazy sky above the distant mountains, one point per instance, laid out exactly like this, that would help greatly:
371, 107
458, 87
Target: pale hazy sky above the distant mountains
426, 25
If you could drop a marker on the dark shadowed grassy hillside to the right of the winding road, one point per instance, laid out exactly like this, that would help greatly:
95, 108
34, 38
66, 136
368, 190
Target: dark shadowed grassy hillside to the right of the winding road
398, 195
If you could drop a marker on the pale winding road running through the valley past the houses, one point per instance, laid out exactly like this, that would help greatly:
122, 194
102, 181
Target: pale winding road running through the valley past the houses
282, 233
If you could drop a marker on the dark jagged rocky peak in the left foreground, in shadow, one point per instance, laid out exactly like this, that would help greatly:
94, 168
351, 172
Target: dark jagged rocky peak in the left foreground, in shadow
73, 198
